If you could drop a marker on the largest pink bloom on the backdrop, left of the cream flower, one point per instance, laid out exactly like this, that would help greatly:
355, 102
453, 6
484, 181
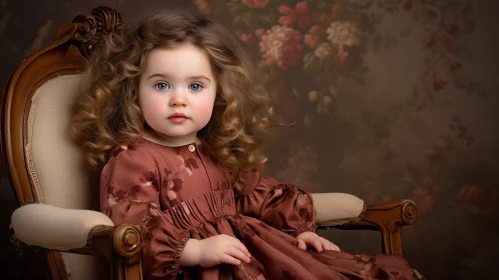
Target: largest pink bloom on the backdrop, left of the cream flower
281, 45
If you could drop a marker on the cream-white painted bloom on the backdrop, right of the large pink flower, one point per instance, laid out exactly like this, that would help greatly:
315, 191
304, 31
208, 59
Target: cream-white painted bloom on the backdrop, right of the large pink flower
343, 33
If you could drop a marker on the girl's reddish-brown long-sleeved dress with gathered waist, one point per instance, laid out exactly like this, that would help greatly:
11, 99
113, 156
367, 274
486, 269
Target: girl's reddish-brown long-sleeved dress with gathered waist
177, 193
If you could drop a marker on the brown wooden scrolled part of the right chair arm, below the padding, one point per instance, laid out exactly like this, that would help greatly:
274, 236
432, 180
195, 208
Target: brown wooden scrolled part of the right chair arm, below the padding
388, 218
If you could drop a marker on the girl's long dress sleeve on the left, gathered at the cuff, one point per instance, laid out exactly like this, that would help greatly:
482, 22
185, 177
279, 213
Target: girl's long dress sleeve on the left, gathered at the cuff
129, 193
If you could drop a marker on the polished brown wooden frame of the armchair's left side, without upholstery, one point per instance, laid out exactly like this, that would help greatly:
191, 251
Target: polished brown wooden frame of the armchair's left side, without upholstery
120, 245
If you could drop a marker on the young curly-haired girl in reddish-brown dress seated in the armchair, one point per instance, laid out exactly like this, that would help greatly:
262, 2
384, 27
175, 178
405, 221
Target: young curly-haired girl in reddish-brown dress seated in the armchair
170, 116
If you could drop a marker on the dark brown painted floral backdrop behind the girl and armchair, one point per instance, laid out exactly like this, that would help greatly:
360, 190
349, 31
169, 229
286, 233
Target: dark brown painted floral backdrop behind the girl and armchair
383, 99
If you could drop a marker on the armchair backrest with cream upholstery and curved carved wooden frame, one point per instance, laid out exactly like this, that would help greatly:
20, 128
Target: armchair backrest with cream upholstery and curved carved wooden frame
44, 165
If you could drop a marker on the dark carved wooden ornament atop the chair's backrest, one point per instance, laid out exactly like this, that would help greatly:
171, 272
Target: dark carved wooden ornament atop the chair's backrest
92, 27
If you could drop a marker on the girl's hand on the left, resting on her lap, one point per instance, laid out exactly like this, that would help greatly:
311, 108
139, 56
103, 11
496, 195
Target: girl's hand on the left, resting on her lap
222, 249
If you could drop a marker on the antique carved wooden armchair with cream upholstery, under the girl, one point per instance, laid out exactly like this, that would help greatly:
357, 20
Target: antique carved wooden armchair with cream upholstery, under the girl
59, 198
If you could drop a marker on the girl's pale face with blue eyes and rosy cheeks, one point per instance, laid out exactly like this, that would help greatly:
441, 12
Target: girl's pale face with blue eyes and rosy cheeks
176, 93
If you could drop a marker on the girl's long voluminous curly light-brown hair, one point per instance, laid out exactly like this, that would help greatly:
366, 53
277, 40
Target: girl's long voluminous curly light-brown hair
107, 112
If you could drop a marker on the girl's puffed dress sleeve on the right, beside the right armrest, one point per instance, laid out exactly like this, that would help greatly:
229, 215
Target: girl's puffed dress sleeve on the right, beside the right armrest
281, 206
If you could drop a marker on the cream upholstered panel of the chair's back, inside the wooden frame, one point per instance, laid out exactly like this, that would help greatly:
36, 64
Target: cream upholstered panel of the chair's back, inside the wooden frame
56, 164
